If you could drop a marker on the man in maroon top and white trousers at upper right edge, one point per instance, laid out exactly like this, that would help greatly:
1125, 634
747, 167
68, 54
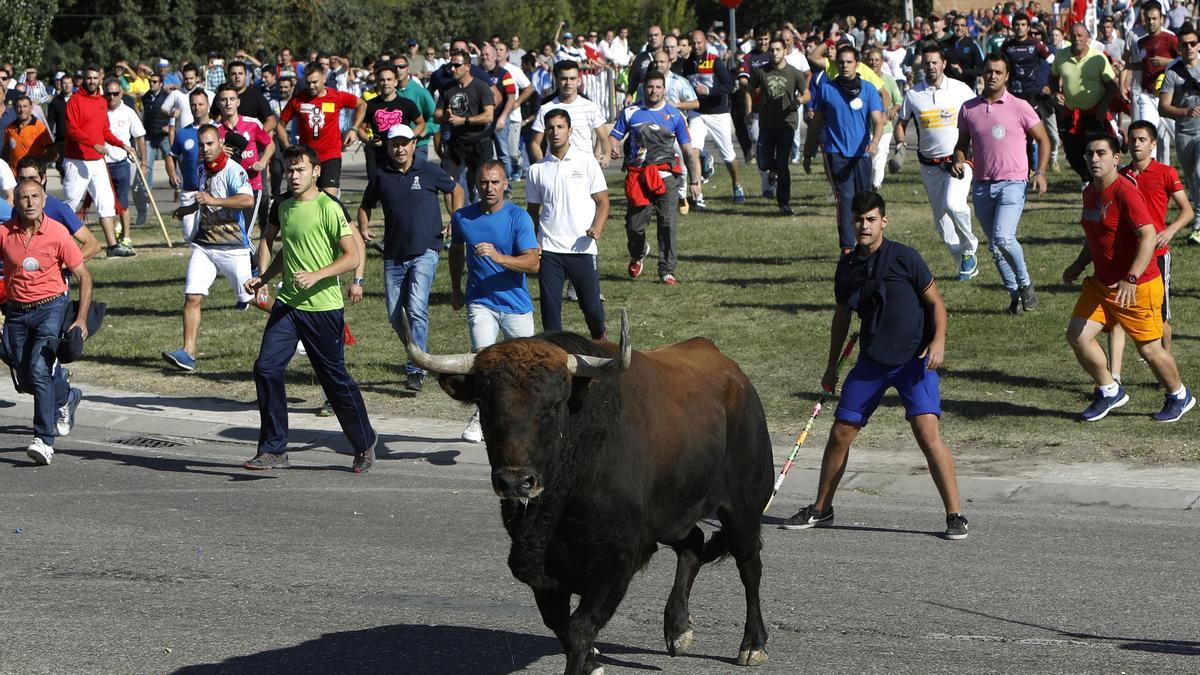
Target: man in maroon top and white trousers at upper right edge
1151, 56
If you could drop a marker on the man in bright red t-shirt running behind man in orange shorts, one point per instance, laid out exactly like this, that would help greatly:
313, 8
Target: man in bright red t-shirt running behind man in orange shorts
1159, 184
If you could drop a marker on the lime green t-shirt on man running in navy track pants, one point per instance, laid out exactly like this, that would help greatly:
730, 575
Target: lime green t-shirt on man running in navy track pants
310, 232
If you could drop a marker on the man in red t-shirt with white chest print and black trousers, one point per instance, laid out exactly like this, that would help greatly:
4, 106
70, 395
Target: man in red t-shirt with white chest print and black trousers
320, 112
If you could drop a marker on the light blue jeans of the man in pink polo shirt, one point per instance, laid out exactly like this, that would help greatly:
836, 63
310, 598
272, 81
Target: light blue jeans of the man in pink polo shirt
999, 206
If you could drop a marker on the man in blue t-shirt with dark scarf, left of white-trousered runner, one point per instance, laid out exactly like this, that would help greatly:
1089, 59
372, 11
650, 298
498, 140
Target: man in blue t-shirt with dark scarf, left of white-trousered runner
850, 111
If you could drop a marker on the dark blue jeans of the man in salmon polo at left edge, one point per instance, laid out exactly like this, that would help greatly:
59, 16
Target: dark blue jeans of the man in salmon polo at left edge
31, 338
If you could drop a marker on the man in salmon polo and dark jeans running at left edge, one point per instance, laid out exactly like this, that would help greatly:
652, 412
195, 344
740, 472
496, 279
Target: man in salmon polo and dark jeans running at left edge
35, 249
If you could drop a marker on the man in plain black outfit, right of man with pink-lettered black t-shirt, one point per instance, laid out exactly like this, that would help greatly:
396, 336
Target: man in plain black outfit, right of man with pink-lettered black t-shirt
467, 107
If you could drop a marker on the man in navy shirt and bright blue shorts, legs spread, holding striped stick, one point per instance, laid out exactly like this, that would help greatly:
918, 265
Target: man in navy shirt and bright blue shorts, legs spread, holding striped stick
903, 344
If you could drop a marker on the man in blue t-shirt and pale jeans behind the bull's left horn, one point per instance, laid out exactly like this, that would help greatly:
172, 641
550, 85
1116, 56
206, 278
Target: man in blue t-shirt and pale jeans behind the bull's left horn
497, 243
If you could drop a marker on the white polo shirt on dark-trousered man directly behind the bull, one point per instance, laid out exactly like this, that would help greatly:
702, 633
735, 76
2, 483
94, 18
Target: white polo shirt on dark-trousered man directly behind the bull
565, 189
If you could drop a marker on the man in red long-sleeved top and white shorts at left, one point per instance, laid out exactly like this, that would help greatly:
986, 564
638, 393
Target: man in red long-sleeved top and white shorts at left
83, 164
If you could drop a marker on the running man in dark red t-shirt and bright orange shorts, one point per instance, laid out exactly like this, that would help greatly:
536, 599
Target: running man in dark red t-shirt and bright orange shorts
1126, 288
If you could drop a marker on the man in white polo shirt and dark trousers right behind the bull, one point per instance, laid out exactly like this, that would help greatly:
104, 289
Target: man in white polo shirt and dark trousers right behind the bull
568, 199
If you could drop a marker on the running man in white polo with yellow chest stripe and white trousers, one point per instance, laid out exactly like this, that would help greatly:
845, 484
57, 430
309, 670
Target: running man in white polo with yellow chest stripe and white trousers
935, 105
